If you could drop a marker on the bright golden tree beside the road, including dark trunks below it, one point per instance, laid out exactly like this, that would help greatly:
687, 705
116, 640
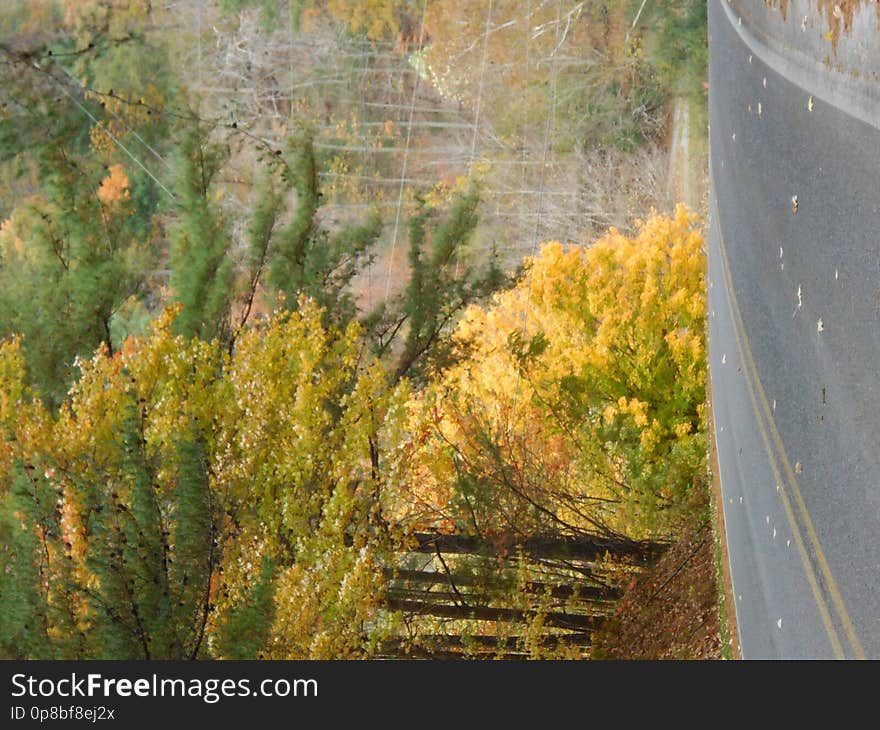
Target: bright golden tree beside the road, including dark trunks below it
559, 451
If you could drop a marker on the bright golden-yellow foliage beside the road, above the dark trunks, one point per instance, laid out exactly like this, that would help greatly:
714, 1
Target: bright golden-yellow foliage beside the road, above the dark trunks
581, 391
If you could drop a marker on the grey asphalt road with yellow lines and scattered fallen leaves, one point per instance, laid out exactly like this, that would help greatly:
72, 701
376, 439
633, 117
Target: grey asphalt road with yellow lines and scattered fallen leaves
794, 345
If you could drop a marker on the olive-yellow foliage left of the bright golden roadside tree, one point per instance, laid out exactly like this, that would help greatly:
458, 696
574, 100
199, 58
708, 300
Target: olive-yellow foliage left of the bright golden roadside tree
288, 423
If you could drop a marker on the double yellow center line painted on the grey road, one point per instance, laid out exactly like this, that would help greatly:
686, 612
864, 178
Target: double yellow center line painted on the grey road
764, 418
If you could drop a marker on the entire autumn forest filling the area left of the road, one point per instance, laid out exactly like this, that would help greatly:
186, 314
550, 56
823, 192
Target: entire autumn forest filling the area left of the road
349, 329
